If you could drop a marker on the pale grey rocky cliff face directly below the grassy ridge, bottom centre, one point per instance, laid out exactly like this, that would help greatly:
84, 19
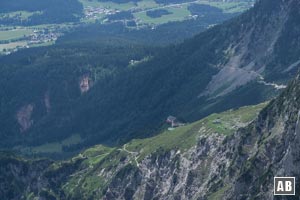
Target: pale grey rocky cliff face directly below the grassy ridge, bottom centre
174, 175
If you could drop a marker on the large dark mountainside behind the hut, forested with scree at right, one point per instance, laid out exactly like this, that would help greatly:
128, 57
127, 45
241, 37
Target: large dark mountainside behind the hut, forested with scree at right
218, 69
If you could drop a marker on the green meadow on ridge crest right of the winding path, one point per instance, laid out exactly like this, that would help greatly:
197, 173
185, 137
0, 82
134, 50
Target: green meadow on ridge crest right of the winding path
183, 138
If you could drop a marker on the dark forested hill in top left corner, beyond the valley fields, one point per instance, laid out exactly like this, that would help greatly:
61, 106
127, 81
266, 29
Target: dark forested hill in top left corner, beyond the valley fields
40, 12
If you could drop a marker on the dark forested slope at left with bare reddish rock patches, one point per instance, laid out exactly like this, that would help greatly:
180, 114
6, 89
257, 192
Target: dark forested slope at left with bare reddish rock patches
42, 85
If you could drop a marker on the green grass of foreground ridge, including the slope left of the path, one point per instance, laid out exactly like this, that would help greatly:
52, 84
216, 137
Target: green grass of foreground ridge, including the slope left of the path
101, 158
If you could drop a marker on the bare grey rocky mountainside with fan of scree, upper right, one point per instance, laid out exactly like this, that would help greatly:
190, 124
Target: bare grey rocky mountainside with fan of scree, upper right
255, 41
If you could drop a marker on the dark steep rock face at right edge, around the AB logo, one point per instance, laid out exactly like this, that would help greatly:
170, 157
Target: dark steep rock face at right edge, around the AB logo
269, 147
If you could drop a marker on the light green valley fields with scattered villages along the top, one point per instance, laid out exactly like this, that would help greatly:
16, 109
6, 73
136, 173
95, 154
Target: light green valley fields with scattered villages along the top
13, 38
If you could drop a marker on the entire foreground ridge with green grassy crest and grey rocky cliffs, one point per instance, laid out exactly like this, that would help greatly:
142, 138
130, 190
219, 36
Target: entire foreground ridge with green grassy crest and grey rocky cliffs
231, 155
